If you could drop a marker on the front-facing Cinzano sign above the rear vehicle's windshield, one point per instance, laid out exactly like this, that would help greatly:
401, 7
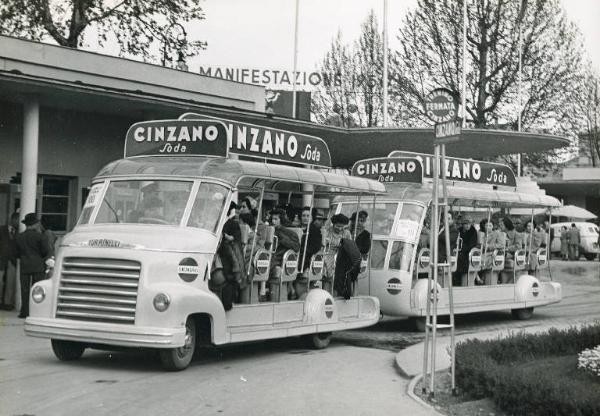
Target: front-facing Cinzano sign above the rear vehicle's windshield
390, 169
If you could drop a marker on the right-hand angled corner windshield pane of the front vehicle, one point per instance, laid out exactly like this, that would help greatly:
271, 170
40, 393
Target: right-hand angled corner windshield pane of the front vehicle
208, 206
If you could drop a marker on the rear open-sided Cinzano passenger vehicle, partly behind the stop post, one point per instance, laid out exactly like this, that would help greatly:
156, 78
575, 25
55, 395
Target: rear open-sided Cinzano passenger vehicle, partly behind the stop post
400, 259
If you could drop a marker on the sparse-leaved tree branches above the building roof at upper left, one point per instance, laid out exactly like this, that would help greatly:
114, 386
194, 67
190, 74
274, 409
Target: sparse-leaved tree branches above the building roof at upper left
136, 25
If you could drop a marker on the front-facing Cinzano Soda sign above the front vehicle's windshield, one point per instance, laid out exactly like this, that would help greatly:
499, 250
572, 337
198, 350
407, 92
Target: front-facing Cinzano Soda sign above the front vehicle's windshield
176, 138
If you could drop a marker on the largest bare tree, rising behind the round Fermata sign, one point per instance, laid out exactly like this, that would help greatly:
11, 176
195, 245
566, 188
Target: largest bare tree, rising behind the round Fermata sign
430, 56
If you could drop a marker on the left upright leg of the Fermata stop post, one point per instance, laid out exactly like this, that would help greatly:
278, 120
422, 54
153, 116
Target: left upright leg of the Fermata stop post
434, 290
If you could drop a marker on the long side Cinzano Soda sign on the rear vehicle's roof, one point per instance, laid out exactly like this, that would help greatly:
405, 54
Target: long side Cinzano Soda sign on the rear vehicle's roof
465, 170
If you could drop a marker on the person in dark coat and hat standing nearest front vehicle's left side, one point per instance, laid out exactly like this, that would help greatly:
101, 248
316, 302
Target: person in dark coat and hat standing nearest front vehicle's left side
33, 250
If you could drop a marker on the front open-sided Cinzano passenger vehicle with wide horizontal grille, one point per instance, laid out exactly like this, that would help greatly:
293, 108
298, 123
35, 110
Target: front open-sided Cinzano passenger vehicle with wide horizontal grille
138, 268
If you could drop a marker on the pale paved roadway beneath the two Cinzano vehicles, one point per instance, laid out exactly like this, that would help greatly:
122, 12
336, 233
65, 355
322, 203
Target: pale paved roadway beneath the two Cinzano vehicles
356, 375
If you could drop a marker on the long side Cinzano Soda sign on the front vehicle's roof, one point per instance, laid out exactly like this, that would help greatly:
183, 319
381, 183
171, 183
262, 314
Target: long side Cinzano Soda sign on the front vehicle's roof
275, 144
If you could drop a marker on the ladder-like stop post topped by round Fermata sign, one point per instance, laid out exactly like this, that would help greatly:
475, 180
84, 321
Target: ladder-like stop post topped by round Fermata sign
441, 107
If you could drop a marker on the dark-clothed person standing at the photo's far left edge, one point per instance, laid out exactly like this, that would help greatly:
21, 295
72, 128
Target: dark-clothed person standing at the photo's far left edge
8, 262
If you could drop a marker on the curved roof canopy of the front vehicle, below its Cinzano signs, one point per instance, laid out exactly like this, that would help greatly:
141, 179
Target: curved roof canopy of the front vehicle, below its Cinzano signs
233, 171
